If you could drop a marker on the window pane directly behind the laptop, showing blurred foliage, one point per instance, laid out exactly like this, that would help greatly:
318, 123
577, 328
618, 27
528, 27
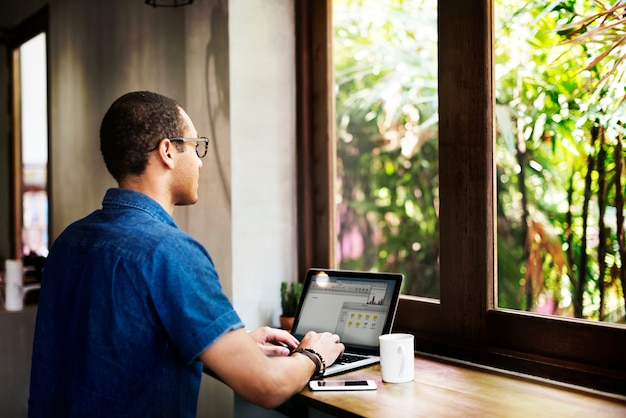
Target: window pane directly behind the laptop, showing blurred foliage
387, 189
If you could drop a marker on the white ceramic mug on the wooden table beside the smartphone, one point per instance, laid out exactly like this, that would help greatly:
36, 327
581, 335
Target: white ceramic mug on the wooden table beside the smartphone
397, 357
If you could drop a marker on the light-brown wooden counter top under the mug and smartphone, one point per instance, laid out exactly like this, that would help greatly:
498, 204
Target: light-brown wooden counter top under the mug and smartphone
442, 389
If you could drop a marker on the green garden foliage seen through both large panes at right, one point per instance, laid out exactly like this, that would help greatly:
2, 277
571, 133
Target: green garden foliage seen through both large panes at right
560, 113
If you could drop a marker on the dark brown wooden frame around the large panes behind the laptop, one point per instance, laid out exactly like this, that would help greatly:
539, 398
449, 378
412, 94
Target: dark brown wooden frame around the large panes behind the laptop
465, 322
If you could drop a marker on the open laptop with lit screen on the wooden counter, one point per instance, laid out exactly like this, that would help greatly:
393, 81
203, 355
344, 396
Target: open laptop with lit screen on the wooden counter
359, 306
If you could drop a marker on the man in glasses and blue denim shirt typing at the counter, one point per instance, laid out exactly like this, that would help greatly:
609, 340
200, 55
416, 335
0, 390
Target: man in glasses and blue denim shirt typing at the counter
131, 306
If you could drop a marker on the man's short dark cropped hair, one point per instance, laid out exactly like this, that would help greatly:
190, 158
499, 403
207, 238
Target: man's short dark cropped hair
134, 125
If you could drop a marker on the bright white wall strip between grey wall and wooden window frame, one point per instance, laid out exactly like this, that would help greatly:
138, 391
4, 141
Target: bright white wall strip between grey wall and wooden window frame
263, 155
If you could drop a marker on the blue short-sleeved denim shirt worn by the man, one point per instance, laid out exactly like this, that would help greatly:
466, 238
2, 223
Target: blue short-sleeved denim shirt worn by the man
128, 302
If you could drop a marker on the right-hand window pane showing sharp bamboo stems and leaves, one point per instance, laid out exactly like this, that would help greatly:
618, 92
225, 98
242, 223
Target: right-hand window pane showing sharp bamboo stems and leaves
560, 157
